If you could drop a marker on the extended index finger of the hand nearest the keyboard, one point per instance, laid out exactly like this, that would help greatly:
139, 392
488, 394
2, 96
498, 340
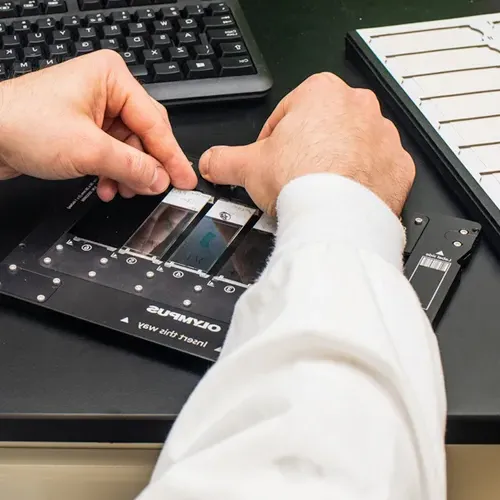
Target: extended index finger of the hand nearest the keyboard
128, 99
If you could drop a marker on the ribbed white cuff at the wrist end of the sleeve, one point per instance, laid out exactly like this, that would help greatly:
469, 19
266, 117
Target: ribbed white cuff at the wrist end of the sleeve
329, 208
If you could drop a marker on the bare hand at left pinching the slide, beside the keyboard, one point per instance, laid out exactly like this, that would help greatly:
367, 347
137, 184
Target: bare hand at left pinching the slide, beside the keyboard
89, 116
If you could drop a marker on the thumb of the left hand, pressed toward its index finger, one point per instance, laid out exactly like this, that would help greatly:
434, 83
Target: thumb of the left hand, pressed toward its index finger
125, 164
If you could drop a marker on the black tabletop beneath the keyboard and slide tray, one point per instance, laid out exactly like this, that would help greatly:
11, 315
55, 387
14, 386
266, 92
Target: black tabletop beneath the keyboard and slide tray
64, 380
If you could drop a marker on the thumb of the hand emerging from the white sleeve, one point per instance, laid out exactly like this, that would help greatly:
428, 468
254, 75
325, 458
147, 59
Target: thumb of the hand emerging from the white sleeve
230, 164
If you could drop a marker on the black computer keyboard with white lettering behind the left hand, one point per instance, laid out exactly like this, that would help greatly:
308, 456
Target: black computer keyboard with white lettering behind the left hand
180, 51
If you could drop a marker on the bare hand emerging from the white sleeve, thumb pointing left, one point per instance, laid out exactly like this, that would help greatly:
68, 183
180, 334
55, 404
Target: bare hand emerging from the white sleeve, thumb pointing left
322, 126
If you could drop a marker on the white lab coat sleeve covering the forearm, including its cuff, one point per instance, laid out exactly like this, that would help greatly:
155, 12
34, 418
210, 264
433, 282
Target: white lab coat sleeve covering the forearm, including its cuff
329, 386
